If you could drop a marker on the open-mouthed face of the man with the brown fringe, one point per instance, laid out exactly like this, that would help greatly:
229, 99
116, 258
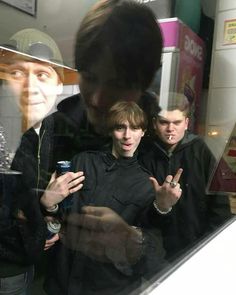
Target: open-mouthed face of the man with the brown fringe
126, 139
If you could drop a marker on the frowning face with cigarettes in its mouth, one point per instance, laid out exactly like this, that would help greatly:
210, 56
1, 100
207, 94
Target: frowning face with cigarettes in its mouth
170, 126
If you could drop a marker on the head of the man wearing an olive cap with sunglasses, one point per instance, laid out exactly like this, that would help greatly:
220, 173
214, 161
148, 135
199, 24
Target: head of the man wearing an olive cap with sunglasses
32, 79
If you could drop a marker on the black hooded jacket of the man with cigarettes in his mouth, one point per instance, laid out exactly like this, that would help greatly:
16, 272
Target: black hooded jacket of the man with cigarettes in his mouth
196, 213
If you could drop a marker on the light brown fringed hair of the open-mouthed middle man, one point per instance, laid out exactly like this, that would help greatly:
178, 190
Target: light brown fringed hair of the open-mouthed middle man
126, 110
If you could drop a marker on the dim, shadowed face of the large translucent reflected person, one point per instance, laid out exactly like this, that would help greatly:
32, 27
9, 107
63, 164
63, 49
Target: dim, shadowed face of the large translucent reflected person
100, 88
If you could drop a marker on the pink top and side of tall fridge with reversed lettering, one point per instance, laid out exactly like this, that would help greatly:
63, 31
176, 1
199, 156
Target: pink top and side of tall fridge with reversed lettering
191, 62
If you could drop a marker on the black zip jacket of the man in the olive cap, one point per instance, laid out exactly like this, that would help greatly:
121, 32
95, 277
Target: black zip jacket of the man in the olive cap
22, 242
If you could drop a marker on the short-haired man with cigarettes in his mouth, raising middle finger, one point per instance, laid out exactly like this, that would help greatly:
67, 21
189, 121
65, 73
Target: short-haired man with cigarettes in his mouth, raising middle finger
186, 219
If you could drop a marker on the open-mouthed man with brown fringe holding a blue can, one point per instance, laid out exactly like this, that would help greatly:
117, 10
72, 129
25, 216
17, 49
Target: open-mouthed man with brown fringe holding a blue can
105, 246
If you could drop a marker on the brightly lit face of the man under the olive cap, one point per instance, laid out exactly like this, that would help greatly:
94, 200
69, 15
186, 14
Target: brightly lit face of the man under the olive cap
35, 86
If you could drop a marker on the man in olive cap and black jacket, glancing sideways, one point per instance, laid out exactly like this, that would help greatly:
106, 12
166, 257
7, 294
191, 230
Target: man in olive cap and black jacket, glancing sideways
32, 83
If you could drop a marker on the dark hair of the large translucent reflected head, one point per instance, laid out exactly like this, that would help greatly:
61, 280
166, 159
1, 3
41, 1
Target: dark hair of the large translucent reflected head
129, 30
